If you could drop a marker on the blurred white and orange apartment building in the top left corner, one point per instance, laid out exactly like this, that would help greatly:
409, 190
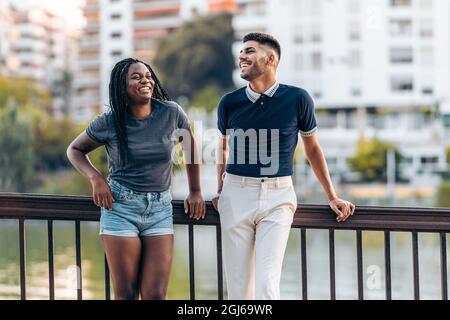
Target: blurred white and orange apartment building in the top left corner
35, 44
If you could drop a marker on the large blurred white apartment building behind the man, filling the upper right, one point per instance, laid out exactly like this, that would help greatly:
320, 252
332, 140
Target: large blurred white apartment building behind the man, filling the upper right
376, 68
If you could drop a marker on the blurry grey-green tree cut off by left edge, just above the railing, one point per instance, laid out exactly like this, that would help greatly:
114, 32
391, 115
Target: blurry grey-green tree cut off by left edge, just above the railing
16, 157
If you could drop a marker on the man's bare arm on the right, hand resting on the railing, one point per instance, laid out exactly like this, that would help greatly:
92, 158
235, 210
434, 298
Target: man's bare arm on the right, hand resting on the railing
316, 158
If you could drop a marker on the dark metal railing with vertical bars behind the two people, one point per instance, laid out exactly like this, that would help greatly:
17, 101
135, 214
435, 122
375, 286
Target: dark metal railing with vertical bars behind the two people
23, 207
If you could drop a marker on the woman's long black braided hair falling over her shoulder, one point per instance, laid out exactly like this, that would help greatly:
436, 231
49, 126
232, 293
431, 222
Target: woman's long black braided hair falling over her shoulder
119, 101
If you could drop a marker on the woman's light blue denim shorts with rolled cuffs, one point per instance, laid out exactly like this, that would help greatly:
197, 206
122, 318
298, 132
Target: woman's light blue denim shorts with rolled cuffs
137, 214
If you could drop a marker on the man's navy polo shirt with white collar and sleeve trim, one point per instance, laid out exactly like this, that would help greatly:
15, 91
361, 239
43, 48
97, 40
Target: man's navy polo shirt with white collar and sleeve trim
264, 128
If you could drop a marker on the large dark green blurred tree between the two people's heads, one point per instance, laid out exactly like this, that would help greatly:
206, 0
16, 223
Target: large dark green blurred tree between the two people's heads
197, 55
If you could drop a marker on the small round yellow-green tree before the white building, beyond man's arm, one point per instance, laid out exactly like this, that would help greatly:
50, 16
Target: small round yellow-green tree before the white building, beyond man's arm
370, 159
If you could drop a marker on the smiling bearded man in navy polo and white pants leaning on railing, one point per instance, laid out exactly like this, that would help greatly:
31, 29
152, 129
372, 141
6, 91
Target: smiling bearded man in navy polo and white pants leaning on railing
256, 199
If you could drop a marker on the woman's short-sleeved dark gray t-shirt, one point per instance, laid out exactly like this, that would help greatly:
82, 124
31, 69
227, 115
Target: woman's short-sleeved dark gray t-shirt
150, 145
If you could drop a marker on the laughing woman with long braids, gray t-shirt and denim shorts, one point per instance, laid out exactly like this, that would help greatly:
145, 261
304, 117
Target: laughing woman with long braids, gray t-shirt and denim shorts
136, 224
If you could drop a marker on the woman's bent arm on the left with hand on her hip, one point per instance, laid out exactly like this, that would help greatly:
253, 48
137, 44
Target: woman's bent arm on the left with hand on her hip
77, 155
